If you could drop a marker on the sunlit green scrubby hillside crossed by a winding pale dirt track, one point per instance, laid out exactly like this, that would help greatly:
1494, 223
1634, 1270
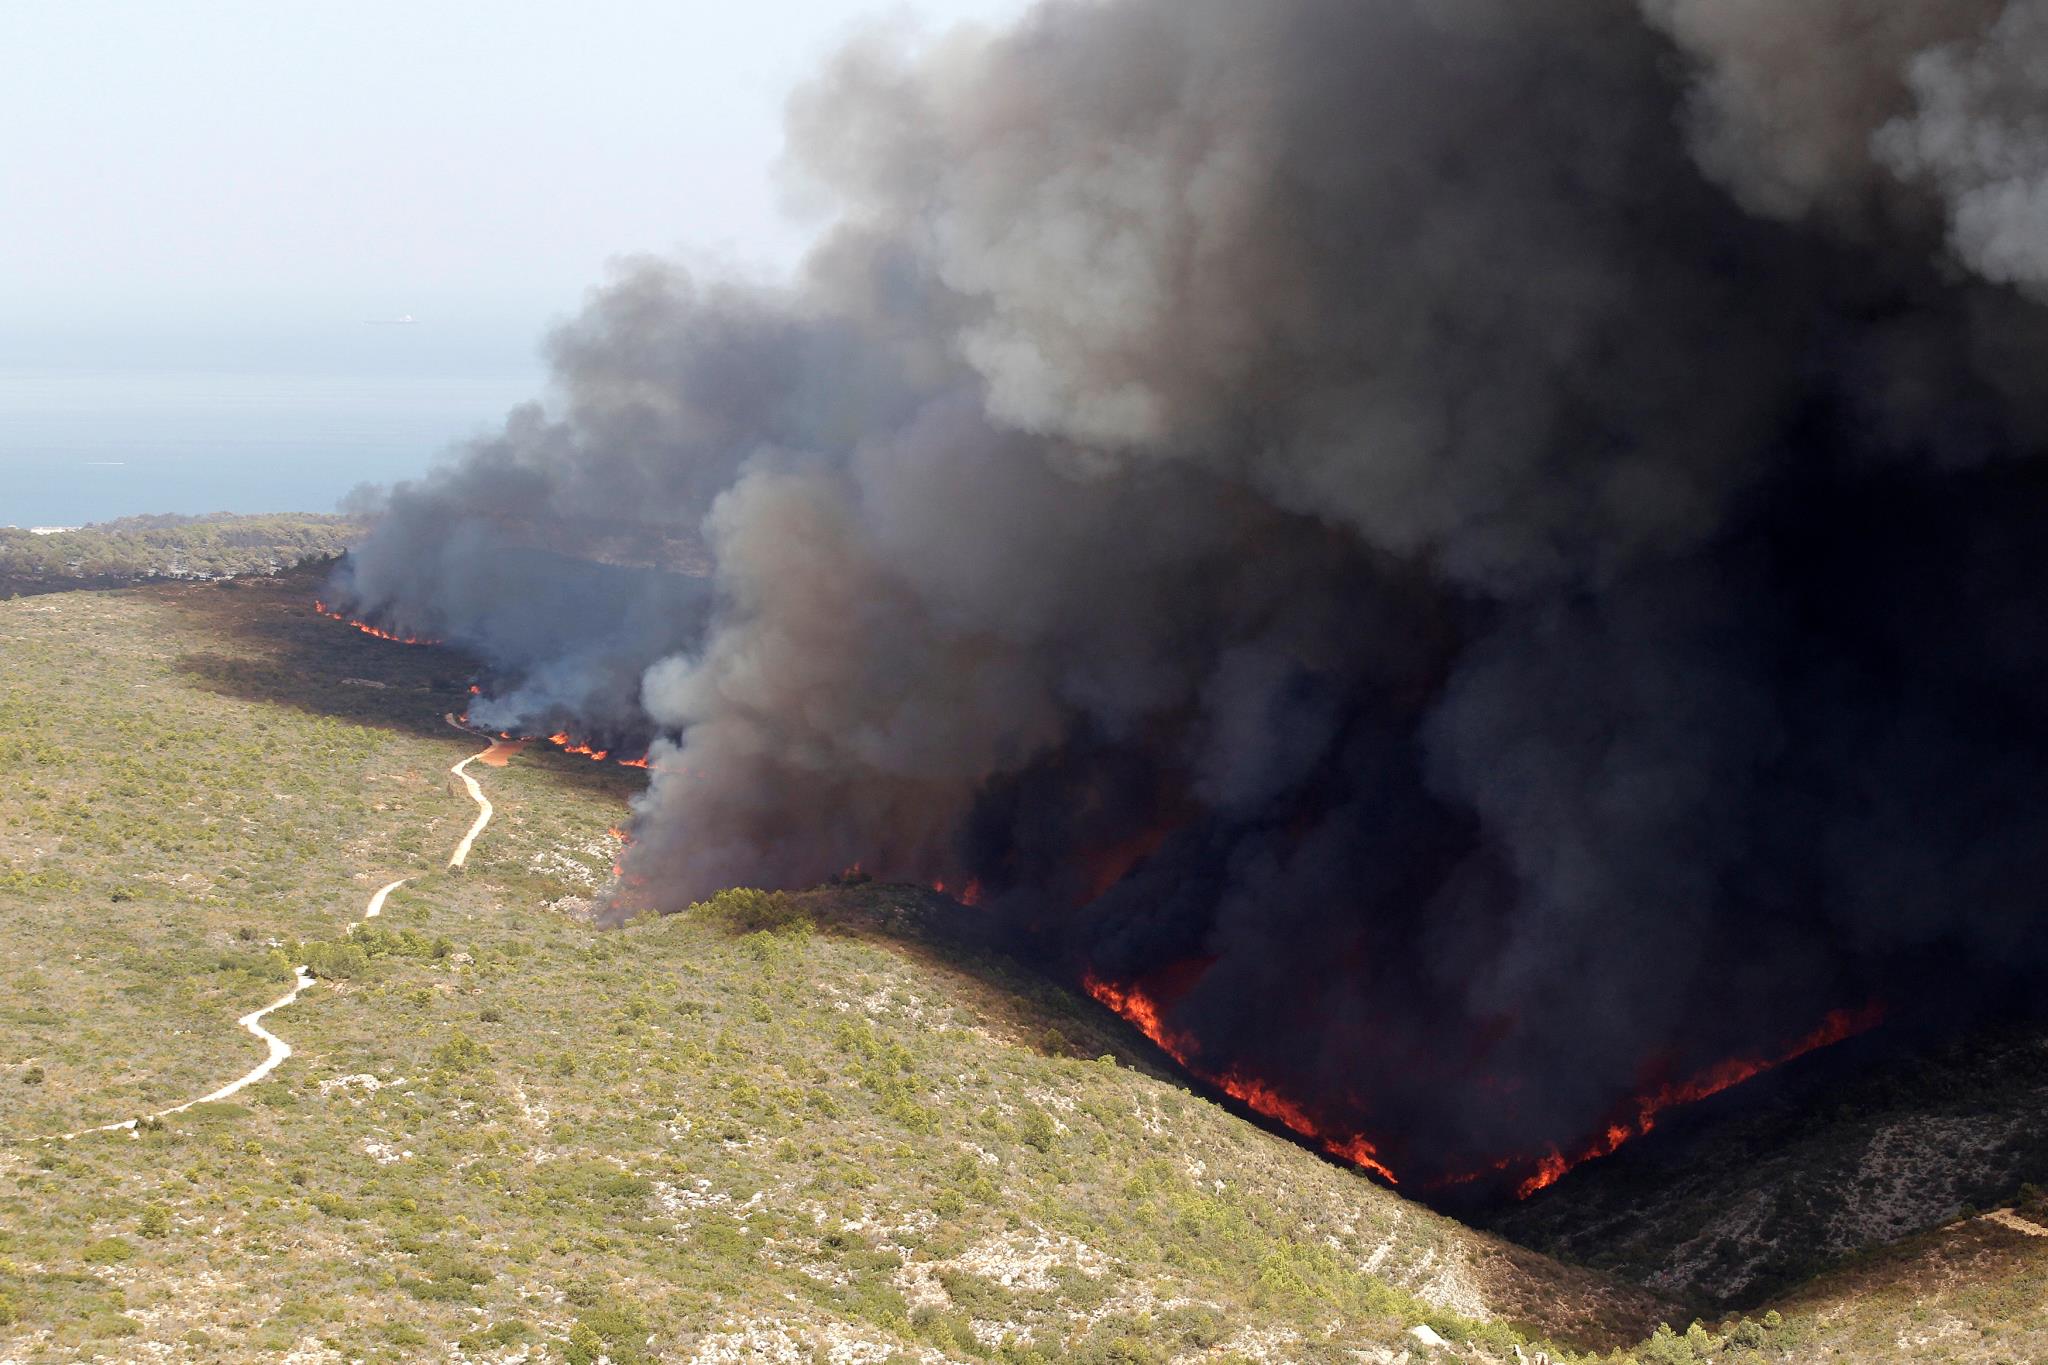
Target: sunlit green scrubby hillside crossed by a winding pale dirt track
773, 1129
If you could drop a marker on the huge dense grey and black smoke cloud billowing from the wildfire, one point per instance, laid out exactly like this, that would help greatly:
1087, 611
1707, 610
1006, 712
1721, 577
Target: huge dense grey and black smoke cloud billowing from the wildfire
1488, 547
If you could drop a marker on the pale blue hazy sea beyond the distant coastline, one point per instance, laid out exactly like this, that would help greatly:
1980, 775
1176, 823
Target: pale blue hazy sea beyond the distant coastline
83, 443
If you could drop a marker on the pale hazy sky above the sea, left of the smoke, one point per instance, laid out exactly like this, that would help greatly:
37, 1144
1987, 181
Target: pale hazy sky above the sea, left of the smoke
177, 173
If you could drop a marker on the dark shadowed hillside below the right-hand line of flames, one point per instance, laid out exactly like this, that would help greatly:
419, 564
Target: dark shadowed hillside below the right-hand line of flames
1834, 1157
